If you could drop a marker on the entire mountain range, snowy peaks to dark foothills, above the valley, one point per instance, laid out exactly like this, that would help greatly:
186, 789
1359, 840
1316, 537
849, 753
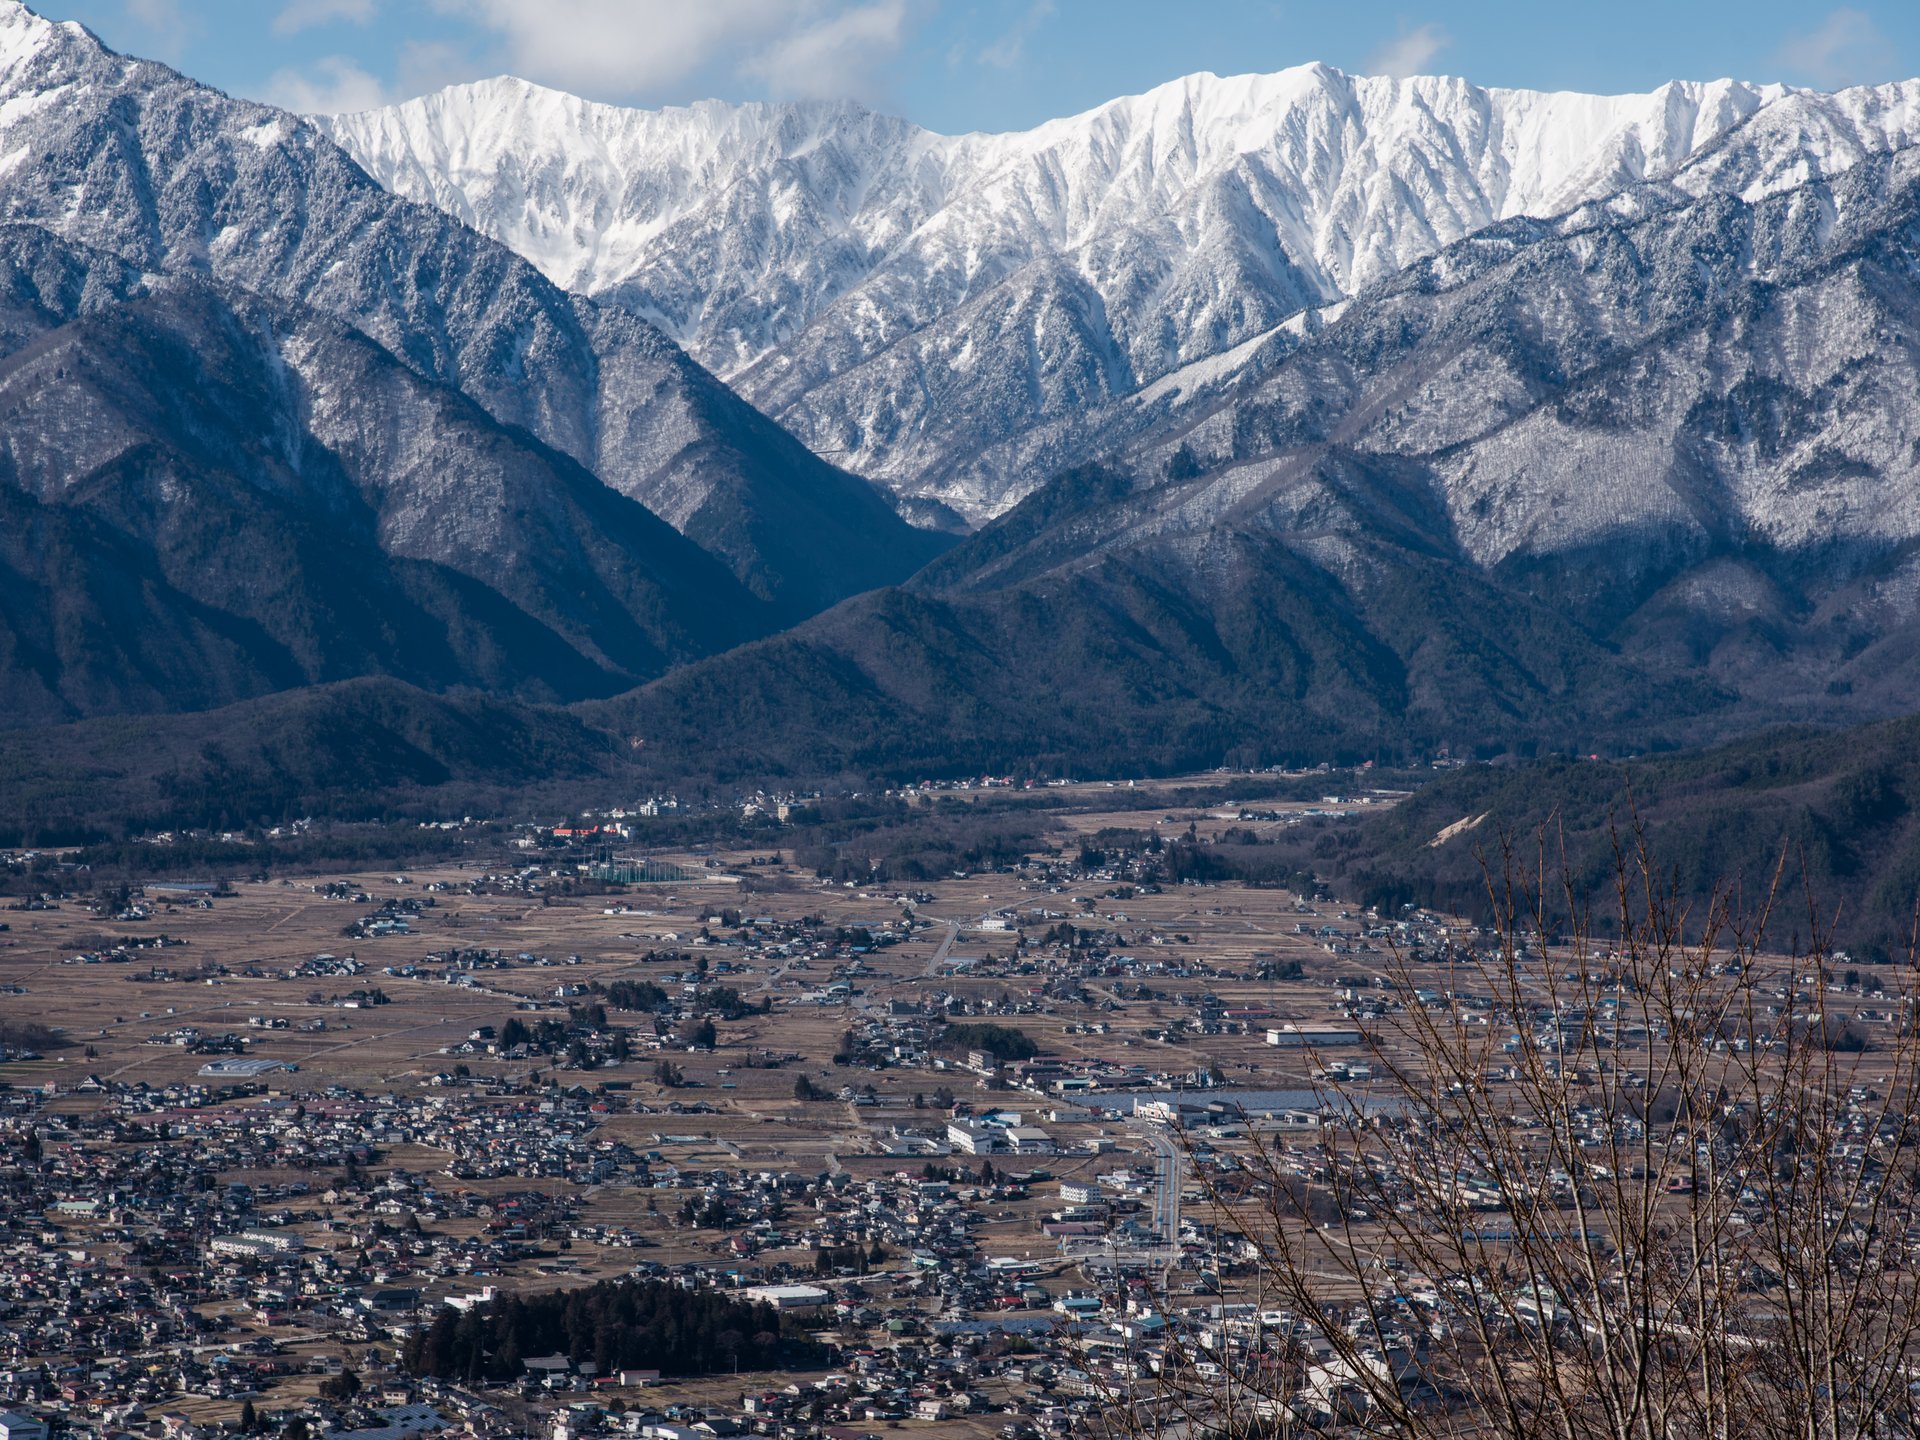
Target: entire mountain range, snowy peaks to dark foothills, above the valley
1428, 418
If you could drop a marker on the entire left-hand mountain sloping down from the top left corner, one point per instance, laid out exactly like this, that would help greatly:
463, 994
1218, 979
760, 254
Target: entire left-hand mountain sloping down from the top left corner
270, 425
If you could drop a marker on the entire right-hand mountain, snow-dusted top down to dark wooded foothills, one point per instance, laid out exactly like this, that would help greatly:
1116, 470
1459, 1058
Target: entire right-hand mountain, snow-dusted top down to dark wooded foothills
1639, 475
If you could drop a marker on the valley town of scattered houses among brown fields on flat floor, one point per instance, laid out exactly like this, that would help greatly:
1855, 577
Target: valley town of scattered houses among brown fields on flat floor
262, 1132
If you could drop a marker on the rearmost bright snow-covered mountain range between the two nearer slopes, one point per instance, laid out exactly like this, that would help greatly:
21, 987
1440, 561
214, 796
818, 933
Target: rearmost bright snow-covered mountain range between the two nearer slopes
934, 310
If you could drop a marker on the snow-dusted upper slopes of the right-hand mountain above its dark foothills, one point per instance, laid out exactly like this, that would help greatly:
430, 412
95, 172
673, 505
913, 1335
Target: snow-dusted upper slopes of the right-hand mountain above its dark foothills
1689, 418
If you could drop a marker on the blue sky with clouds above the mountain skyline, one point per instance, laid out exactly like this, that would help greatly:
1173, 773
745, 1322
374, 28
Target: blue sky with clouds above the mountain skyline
990, 64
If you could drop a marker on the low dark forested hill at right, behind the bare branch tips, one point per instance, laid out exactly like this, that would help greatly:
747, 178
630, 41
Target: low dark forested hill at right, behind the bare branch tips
1835, 813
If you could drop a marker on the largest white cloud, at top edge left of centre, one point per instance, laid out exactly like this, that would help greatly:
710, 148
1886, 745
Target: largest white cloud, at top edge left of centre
640, 47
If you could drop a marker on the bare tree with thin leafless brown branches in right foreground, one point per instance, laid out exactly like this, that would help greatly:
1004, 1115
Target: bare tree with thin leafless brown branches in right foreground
1600, 1189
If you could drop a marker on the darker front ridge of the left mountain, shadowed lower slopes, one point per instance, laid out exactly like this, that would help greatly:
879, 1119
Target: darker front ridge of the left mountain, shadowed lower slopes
214, 494
